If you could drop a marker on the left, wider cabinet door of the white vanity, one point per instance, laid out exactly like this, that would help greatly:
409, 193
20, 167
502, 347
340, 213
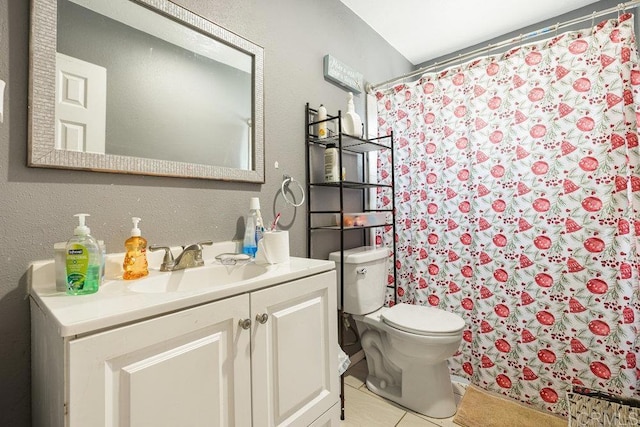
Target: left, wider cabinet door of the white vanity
189, 368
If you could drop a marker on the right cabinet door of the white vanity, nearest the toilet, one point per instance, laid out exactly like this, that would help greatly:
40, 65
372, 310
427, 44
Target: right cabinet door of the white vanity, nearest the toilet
294, 356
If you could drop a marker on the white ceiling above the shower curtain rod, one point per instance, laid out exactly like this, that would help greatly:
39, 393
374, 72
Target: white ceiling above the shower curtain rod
426, 29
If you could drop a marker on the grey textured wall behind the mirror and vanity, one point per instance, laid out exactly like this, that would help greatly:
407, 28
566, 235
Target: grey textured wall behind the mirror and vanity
36, 205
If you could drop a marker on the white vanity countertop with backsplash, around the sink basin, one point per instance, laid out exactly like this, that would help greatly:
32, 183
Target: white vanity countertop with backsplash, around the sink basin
116, 303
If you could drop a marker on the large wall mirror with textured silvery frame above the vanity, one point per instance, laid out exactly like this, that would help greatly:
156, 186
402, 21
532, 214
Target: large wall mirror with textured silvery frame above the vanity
143, 87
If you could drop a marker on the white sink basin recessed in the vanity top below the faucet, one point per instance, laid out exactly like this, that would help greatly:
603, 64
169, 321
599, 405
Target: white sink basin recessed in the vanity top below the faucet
208, 276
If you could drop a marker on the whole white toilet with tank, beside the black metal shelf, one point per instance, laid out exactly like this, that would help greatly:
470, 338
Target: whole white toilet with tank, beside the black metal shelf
406, 346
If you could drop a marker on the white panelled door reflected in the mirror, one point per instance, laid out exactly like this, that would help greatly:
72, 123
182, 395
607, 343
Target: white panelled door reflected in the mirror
81, 105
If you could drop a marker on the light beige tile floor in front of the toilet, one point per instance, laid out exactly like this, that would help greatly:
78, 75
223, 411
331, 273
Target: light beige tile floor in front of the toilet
363, 408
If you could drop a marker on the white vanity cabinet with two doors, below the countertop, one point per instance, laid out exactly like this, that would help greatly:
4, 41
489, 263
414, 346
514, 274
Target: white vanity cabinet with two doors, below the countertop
266, 357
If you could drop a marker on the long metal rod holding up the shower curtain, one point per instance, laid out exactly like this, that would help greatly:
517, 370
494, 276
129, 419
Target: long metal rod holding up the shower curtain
462, 57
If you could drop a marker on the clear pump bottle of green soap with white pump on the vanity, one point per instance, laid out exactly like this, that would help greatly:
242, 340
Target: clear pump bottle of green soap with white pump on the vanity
83, 260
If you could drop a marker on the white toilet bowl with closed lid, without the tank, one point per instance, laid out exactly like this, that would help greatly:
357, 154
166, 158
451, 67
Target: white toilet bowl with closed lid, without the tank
409, 366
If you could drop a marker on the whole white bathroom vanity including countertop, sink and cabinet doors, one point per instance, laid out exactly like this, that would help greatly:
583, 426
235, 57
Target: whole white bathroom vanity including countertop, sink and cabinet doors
213, 345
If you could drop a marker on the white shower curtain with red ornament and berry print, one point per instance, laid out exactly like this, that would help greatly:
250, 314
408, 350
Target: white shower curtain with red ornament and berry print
518, 197
